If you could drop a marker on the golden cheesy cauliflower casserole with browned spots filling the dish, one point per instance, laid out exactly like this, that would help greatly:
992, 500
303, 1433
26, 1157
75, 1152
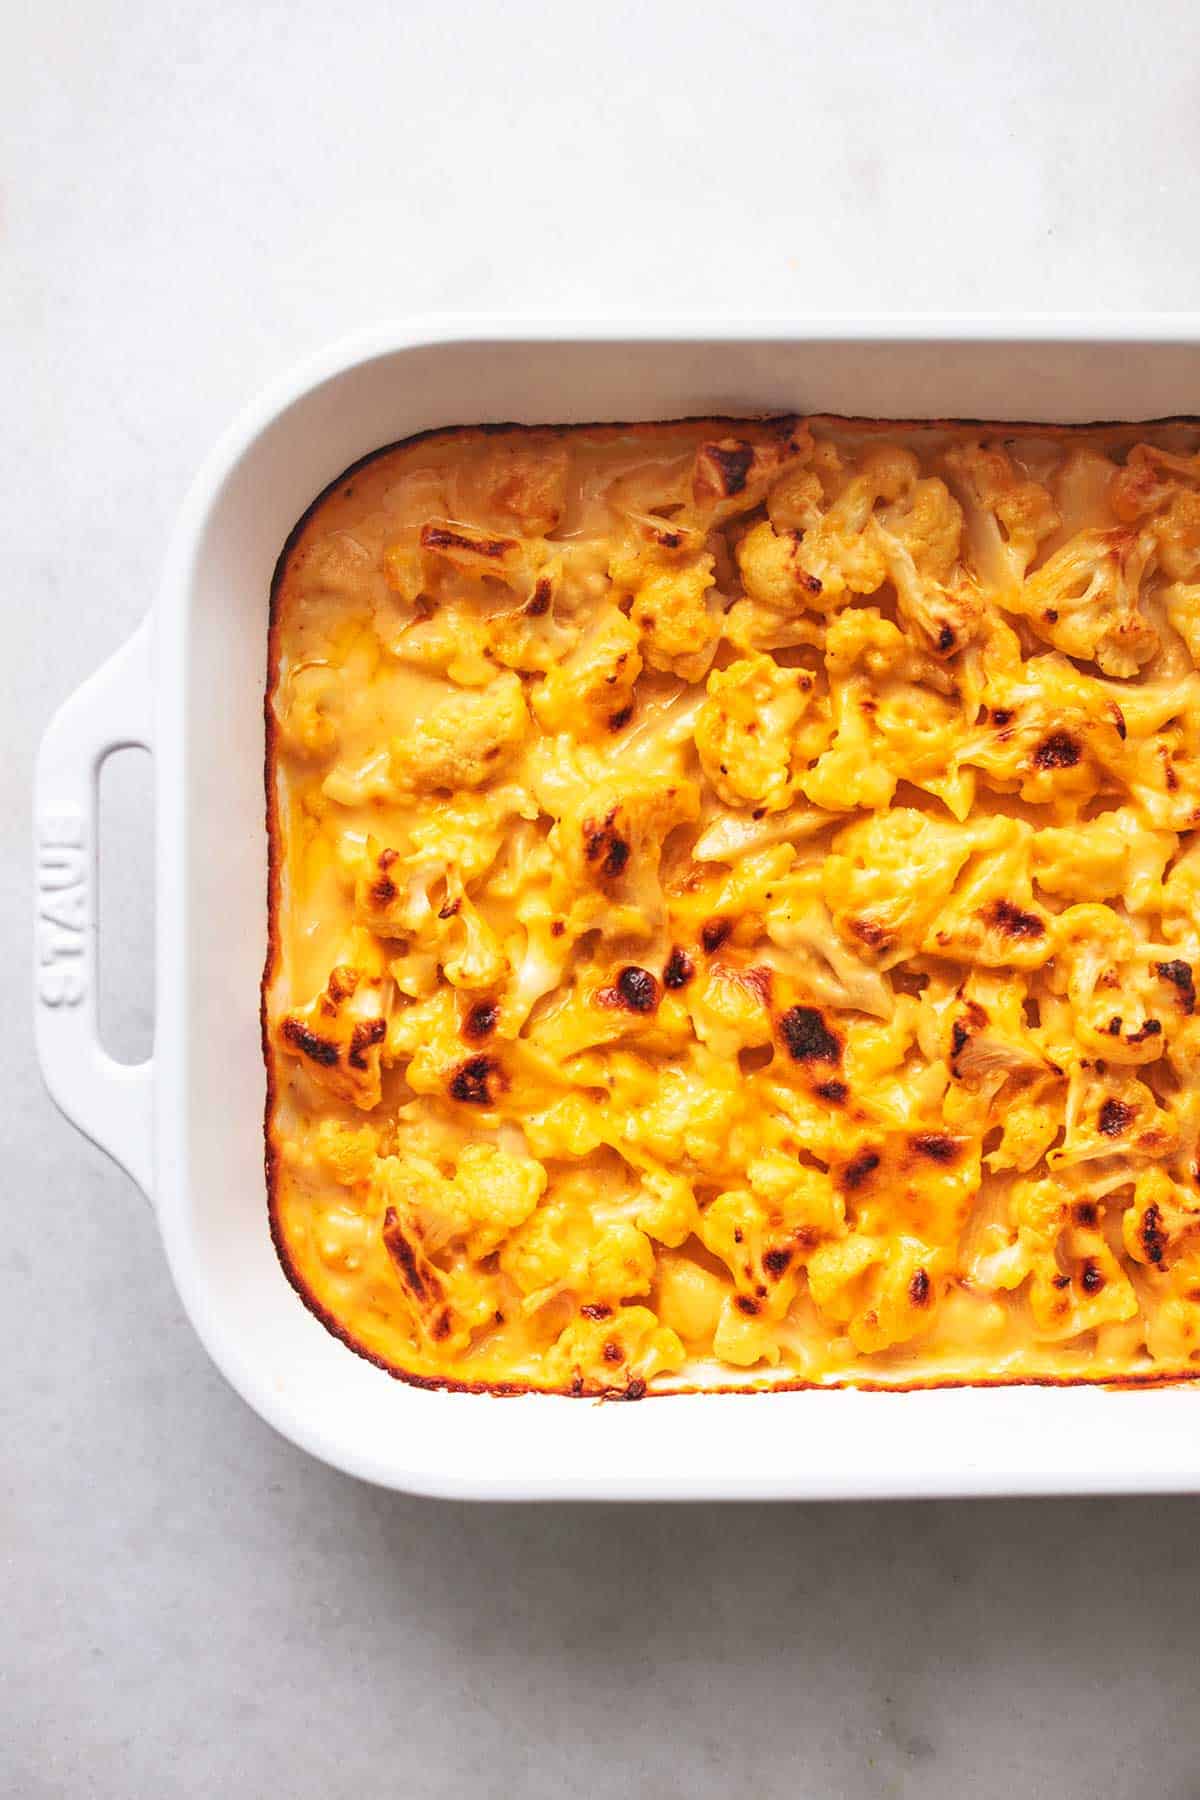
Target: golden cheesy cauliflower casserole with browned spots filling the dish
735, 906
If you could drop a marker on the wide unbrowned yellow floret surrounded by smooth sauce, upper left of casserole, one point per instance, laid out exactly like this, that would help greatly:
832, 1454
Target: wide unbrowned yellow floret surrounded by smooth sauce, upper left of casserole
465, 742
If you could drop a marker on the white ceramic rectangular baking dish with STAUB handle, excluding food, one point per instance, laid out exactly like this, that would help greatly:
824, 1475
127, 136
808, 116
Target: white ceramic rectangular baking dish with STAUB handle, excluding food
190, 1124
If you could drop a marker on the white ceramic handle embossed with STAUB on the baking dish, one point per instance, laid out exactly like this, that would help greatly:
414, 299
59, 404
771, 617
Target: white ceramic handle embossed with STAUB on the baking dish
107, 1101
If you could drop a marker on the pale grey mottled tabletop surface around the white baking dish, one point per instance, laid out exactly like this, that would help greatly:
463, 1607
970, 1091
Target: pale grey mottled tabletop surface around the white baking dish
193, 197
